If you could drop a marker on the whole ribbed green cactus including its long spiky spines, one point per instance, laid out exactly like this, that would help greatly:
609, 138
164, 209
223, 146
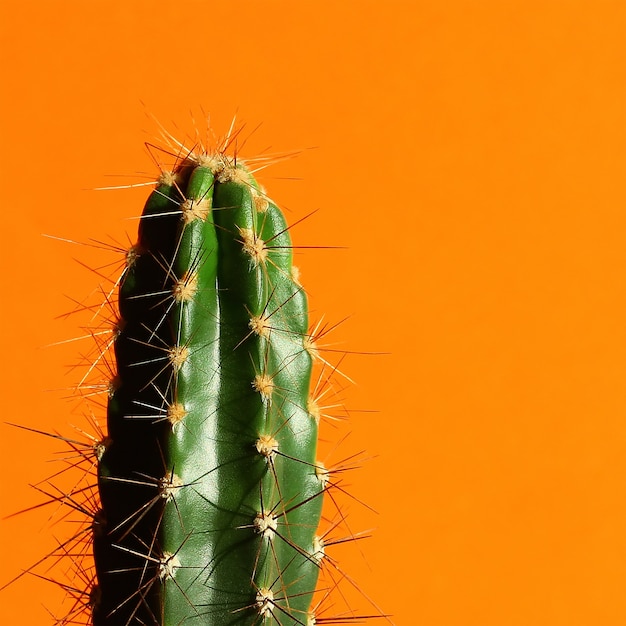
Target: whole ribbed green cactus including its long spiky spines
208, 490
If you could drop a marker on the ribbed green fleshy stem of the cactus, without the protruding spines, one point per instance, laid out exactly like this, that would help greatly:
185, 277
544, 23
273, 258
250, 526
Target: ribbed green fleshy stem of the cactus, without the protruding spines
178, 539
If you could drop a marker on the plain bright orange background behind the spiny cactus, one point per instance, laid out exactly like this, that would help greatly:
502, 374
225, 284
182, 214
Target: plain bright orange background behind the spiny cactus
471, 158
